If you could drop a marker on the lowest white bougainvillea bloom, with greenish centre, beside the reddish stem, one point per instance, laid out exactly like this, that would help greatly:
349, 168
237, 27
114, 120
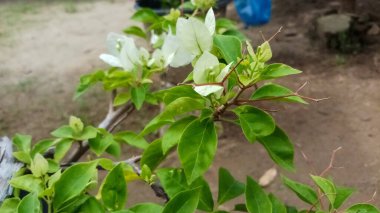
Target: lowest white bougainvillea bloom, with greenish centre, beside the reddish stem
207, 70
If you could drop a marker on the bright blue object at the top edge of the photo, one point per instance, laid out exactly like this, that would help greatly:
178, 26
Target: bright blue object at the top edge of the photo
254, 12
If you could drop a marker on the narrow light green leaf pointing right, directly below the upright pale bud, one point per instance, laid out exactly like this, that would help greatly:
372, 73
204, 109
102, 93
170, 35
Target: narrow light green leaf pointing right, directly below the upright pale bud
277, 70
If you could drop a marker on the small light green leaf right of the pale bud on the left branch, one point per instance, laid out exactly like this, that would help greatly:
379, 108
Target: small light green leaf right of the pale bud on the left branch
99, 144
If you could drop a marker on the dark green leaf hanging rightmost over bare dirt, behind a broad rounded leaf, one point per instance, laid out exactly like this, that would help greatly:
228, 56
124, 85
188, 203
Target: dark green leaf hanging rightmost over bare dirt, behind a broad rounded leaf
280, 148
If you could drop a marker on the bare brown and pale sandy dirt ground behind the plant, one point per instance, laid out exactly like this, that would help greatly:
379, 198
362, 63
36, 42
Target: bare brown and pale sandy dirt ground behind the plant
44, 50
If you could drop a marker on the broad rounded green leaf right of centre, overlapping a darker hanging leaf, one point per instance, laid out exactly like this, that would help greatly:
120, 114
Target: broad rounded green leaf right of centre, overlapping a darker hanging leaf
254, 122
